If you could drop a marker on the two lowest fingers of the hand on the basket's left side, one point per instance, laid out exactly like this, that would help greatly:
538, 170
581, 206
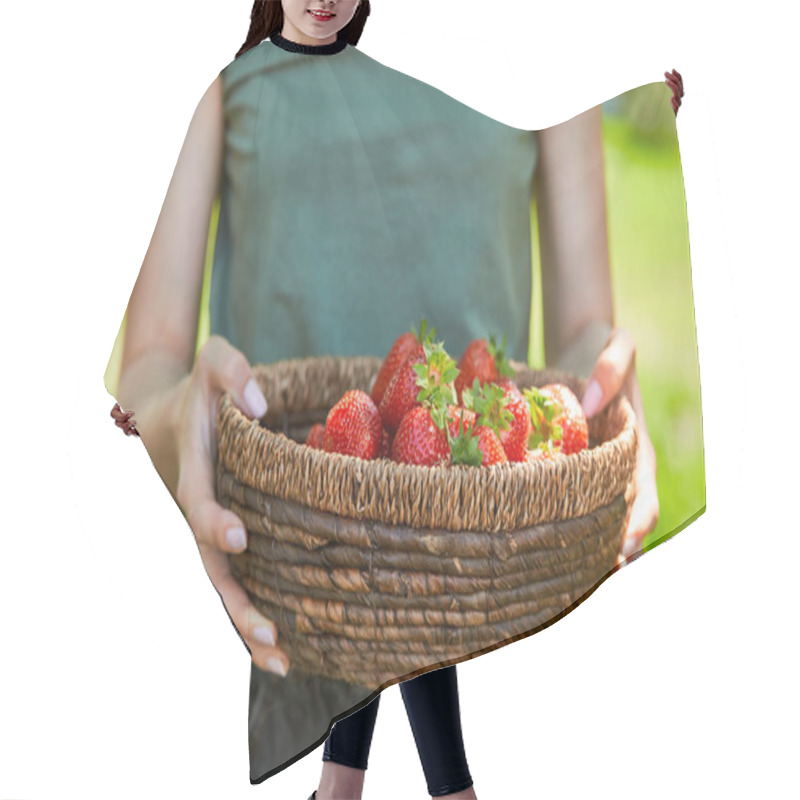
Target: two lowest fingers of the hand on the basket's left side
259, 633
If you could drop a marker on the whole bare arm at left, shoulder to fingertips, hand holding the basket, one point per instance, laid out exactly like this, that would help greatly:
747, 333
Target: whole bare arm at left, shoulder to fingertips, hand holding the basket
175, 395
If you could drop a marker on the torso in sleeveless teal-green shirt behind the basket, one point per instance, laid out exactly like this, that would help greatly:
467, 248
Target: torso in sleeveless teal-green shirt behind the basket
356, 200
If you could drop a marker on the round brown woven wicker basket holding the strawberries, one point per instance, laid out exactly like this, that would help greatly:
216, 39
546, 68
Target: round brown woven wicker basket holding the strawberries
373, 571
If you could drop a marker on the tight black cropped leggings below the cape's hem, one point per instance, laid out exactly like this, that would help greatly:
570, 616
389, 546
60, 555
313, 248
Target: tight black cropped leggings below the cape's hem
431, 702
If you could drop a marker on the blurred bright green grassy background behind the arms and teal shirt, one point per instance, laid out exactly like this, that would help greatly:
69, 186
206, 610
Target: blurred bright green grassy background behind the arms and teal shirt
652, 282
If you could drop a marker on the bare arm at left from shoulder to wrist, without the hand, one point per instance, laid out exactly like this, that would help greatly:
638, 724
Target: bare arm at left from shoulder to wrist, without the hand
164, 308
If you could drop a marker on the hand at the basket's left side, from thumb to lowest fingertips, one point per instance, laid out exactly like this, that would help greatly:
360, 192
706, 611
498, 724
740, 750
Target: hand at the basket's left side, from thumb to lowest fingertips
219, 368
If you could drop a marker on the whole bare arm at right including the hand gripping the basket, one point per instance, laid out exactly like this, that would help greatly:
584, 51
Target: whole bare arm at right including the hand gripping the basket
577, 297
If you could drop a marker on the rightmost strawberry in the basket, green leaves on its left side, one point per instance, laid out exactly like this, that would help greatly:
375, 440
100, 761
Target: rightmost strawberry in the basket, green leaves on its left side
557, 416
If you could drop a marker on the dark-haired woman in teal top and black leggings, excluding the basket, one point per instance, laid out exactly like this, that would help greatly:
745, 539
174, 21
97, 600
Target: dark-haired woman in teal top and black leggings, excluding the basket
334, 174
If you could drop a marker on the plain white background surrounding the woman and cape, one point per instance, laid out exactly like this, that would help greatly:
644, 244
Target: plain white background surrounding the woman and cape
120, 675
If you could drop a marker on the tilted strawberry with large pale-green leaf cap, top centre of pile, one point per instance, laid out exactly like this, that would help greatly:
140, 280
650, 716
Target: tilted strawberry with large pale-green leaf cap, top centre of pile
426, 375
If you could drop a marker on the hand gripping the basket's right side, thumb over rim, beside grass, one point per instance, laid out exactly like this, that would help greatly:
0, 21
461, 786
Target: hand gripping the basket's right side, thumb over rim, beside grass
615, 372
